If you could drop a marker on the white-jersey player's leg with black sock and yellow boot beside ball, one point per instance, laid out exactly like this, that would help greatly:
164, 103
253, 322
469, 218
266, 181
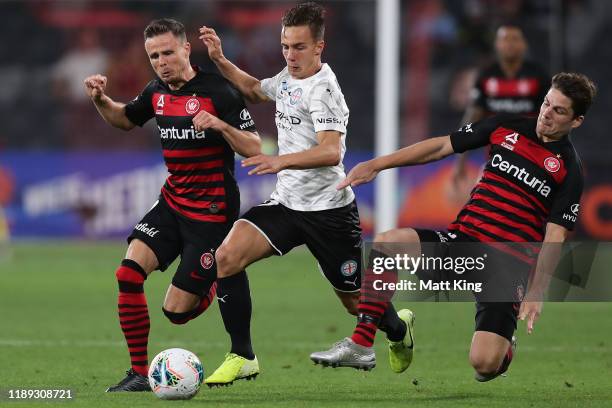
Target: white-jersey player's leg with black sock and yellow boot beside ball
244, 245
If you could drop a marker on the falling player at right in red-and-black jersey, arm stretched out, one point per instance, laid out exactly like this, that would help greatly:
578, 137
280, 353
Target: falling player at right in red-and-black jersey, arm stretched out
529, 192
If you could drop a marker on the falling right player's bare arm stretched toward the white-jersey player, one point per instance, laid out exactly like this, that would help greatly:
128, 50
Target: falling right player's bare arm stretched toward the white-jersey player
423, 152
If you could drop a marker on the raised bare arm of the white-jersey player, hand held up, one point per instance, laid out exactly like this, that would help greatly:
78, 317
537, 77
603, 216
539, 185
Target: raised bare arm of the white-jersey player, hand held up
248, 86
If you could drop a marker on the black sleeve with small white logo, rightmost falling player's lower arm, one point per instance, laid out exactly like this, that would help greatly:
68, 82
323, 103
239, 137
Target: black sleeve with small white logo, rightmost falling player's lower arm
565, 207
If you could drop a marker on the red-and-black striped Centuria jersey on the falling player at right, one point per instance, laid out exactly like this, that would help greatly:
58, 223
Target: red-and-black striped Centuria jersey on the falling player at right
526, 183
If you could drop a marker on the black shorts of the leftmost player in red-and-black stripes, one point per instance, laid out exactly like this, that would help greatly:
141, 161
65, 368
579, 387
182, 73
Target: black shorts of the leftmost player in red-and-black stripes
169, 235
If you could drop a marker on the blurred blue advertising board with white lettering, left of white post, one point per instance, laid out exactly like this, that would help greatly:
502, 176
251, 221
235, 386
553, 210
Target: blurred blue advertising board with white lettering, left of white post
103, 194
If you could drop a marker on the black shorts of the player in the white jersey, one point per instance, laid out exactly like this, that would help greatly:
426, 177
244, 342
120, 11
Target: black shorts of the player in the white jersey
333, 236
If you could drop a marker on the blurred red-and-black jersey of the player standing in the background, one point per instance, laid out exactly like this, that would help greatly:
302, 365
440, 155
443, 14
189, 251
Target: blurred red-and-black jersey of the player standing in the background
522, 94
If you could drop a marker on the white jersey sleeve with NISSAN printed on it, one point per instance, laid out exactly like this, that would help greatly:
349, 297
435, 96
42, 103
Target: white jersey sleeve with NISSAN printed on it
327, 108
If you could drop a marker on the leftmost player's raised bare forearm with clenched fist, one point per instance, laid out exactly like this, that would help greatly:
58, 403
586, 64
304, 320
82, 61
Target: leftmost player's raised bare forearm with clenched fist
112, 112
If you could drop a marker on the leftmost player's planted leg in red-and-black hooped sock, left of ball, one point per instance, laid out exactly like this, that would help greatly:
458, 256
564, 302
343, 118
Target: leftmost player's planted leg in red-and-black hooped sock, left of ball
139, 262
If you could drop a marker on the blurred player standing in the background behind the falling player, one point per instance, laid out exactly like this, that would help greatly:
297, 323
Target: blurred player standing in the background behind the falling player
511, 84
